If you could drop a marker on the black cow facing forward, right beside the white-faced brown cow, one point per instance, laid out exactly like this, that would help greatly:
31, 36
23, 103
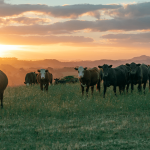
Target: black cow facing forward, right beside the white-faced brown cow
113, 76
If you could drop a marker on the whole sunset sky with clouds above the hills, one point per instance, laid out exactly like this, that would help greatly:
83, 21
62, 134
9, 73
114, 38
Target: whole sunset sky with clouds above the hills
74, 30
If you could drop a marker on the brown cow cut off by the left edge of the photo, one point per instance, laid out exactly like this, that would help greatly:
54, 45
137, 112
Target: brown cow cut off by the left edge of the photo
3, 85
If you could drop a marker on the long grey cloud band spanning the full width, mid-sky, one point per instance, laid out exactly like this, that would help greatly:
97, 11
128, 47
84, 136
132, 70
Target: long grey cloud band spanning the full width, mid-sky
75, 25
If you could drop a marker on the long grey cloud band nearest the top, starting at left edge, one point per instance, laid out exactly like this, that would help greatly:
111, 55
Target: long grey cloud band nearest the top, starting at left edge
66, 11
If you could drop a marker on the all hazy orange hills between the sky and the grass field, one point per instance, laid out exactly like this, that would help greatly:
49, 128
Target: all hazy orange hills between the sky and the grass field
17, 69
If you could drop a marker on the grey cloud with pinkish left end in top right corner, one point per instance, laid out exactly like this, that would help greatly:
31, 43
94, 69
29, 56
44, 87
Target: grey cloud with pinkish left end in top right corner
131, 11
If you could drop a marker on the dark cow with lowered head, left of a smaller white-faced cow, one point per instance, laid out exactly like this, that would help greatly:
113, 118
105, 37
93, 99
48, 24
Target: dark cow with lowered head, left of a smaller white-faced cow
30, 78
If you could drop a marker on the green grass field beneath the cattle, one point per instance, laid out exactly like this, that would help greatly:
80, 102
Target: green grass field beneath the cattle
63, 119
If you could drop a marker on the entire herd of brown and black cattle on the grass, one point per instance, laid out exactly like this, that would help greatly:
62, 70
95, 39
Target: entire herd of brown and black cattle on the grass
121, 76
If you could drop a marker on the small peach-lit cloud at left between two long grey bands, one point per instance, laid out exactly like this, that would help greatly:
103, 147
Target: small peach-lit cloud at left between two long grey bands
24, 20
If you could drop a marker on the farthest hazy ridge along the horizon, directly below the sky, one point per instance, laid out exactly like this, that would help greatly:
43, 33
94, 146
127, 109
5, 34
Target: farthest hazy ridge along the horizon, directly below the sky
53, 63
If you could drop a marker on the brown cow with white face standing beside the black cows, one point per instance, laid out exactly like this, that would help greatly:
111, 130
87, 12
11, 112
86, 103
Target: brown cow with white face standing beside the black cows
88, 78
